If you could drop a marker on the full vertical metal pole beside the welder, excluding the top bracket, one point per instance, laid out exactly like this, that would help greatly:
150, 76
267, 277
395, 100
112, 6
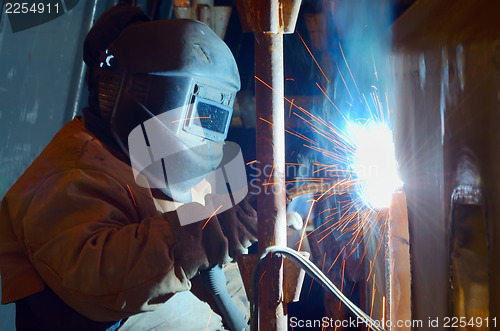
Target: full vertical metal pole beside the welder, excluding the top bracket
269, 91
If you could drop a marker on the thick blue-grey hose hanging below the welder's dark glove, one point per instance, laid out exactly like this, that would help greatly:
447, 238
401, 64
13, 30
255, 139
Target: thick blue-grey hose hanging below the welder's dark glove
215, 283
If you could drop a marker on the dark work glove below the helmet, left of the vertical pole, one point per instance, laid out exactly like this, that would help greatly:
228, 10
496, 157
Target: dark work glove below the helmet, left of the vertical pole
205, 244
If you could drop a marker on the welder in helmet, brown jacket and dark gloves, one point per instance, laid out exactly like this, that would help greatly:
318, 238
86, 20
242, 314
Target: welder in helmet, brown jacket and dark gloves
90, 234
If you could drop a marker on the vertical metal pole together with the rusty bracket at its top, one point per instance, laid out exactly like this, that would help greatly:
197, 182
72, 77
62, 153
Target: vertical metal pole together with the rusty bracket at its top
269, 20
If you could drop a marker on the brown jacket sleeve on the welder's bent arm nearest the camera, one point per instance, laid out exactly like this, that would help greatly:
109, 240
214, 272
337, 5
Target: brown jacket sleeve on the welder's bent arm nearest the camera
84, 236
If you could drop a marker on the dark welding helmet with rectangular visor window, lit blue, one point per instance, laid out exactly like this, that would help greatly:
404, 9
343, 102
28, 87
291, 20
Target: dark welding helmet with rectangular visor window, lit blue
171, 86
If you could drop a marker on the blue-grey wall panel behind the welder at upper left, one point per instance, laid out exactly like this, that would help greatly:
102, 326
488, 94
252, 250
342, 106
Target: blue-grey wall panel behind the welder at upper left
41, 72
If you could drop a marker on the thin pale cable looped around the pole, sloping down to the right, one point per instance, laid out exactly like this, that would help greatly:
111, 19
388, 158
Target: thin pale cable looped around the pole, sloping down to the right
312, 271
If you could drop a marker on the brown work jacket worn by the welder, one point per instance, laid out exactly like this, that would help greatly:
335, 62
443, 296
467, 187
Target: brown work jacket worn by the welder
77, 222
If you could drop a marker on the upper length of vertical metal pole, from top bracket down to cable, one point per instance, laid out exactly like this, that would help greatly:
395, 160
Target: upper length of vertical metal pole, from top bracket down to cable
270, 138
